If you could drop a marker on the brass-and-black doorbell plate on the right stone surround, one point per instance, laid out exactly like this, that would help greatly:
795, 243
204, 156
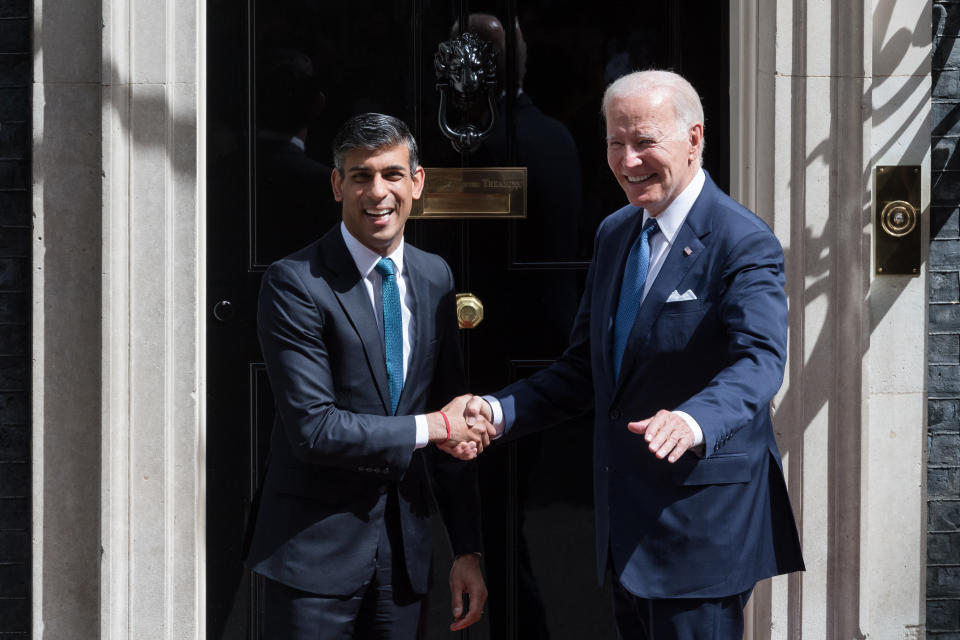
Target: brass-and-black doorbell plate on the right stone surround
897, 228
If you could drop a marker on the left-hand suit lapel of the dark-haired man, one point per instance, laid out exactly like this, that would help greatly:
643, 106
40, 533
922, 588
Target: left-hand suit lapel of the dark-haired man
352, 294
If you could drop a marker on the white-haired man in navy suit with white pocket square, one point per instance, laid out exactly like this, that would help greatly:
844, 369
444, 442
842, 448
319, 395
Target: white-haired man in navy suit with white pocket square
679, 346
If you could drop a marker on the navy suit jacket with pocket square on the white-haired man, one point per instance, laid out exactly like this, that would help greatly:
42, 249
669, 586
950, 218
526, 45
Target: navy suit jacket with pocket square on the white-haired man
701, 527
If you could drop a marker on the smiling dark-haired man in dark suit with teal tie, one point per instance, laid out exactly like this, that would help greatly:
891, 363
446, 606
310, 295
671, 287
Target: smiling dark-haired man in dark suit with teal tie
358, 332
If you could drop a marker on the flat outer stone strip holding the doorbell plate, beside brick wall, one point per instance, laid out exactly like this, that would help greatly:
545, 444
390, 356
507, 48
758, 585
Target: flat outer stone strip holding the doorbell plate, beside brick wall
893, 479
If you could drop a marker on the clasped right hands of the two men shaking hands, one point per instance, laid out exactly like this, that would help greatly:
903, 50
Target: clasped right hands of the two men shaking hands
463, 428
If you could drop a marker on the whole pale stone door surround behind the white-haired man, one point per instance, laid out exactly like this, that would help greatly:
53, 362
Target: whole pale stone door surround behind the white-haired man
841, 88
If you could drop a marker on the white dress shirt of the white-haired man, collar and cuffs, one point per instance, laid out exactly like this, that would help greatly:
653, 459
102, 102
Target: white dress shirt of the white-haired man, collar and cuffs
669, 221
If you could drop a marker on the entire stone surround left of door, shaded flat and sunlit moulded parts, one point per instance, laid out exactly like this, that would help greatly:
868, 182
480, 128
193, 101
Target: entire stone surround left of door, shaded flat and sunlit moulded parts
118, 441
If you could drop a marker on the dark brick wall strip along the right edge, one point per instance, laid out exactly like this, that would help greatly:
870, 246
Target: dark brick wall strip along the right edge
943, 376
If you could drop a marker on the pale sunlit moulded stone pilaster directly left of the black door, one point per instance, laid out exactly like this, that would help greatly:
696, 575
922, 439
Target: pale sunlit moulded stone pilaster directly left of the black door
152, 448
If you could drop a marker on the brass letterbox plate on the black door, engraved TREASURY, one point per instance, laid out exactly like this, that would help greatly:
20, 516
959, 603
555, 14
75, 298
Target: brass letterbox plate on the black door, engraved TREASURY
474, 192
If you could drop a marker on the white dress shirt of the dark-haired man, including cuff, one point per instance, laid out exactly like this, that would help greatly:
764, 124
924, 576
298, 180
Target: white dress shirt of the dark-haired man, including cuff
366, 260
